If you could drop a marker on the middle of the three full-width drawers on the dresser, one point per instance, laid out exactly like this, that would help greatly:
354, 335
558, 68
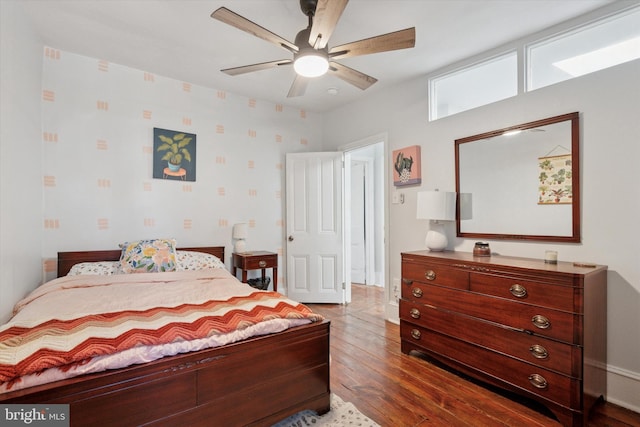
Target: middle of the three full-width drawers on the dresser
548, 354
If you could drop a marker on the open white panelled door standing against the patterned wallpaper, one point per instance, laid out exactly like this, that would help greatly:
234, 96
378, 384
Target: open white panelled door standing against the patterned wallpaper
315, 236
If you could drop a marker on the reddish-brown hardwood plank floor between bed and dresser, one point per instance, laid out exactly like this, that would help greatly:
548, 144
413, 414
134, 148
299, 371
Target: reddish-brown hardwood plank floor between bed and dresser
395, 389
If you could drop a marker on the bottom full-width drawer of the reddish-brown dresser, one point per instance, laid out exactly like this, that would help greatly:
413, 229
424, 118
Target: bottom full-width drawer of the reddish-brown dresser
541, 382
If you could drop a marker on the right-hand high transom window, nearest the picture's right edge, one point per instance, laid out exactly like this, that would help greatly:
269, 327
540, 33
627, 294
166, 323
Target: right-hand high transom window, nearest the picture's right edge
591, 48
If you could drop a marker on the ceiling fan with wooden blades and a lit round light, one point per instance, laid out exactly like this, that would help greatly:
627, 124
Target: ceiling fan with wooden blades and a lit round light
311, 55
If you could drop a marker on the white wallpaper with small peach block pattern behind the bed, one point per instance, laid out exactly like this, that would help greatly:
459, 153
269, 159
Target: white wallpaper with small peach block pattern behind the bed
97, 136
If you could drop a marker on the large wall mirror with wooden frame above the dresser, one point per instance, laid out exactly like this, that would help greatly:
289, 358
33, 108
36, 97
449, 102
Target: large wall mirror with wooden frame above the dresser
521, 182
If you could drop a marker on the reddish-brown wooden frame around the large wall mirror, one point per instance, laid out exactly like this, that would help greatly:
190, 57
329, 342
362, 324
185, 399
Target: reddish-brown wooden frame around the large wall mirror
574, 118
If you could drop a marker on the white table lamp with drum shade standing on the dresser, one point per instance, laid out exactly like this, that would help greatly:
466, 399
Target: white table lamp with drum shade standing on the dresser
436, 206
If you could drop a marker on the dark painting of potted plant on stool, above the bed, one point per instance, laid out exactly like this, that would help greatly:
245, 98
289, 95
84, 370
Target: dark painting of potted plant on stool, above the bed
174, 155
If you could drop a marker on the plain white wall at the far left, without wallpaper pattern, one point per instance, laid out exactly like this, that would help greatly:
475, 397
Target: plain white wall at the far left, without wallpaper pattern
20, 157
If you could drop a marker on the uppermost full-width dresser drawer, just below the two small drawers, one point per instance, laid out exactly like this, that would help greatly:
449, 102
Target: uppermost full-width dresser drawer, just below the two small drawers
542, 321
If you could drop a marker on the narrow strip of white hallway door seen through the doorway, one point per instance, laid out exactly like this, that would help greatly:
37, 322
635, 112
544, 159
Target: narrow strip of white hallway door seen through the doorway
358, 213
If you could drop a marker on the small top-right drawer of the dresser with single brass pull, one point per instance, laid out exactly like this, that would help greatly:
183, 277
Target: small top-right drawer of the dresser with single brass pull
543, 294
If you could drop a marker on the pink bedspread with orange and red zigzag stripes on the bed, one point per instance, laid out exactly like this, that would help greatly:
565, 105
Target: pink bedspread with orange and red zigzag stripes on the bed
80, 324
